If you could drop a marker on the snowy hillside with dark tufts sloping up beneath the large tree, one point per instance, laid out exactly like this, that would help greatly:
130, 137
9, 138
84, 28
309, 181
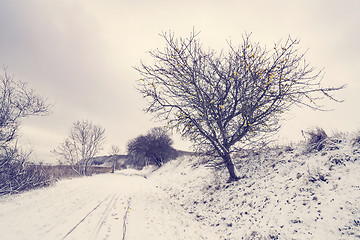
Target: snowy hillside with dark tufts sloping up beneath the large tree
286, 193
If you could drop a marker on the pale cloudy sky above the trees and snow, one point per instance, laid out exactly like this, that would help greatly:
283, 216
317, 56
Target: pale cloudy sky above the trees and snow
80, 55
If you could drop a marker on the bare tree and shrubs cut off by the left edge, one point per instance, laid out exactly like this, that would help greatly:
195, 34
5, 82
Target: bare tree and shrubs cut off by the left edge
17, 101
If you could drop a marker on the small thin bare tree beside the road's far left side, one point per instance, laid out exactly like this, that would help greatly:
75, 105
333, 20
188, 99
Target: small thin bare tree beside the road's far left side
84, 142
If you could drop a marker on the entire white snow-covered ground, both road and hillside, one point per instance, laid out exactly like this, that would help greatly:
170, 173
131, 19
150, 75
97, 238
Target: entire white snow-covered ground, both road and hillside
284, 194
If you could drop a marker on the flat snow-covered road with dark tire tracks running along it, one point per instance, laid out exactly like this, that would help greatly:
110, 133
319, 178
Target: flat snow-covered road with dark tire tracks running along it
108, 206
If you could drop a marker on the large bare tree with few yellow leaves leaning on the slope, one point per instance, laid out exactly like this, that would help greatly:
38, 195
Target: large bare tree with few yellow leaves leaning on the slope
226, 101
